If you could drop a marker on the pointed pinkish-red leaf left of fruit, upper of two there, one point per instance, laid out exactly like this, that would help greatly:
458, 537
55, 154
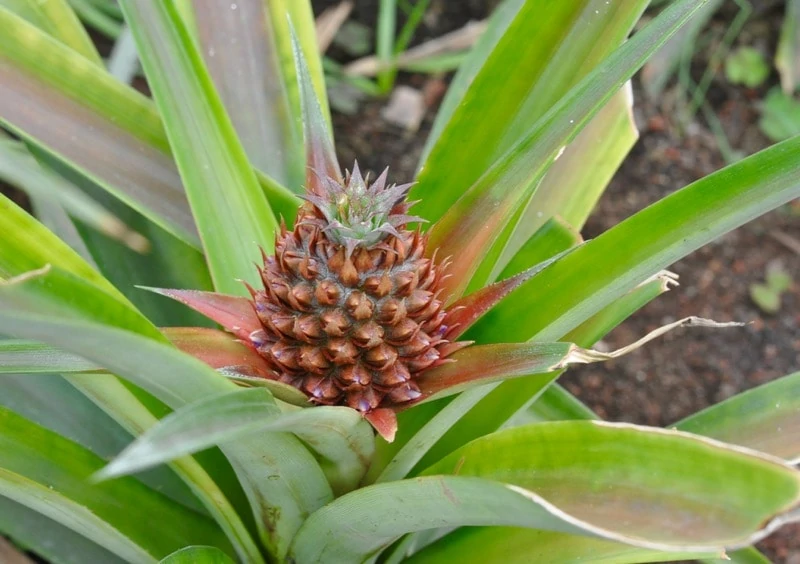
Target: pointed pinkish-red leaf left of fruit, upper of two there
235, 314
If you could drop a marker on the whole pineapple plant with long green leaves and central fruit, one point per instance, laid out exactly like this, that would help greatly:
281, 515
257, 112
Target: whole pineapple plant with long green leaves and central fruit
363, 381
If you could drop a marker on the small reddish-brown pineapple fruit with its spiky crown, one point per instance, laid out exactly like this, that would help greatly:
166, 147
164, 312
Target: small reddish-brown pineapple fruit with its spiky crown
351, 307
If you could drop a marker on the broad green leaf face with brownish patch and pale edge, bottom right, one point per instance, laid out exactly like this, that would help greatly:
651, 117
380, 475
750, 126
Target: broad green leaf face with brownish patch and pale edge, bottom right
632, 478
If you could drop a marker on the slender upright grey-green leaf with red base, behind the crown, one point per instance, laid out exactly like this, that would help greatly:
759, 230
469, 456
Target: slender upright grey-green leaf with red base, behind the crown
320, 153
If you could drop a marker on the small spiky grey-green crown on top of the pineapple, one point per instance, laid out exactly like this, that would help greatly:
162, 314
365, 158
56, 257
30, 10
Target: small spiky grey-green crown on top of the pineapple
358, 213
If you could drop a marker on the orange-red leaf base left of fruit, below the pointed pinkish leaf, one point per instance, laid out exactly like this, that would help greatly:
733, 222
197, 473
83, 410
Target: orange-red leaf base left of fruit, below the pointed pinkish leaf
218, 349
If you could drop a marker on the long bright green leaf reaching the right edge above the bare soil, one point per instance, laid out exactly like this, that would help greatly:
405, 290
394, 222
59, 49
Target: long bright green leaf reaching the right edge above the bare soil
602, 270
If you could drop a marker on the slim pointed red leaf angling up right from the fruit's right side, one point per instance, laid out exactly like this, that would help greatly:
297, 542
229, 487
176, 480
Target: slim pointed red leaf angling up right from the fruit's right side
466, 311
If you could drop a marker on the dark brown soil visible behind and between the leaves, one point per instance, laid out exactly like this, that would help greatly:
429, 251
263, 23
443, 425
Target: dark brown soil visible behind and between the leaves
687, 370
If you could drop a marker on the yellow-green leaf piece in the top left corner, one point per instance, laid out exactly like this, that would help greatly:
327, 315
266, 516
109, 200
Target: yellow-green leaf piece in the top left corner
58, 19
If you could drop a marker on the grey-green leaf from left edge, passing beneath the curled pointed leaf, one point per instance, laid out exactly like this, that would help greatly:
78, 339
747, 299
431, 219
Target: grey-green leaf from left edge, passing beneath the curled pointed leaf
177, 379
